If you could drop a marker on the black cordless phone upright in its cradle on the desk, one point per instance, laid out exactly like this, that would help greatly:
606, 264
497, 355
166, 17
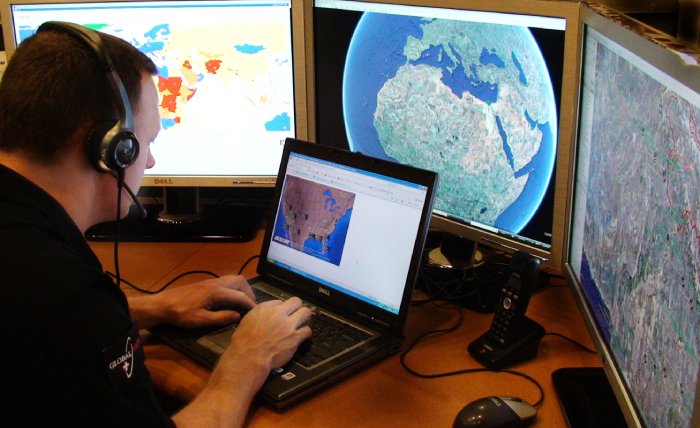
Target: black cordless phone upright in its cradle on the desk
512, 337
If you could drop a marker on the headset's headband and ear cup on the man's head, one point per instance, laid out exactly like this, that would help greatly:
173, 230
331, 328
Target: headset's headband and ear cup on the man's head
111, 146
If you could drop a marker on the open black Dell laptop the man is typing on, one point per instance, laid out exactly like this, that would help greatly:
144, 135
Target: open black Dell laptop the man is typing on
345, 234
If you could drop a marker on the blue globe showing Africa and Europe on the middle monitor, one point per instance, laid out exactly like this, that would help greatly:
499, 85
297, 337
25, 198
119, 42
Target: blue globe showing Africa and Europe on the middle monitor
472, 101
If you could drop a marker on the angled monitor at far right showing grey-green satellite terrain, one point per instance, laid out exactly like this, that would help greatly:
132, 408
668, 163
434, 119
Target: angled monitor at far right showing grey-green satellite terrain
634, 254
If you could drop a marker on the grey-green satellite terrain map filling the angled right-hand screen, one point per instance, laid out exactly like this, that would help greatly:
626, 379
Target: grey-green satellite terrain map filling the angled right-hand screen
641, 249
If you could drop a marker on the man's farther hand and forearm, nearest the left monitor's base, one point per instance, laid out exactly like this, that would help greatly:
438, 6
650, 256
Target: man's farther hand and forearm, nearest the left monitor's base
216, 301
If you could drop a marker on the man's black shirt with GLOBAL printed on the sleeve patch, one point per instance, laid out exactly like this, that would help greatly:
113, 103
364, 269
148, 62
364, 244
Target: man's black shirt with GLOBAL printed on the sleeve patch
70, 355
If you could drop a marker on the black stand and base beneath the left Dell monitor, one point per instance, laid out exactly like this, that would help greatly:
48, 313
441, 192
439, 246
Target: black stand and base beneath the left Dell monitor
182, 218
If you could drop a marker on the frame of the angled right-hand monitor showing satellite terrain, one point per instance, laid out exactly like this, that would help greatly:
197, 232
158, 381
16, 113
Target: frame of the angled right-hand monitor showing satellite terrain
672, 64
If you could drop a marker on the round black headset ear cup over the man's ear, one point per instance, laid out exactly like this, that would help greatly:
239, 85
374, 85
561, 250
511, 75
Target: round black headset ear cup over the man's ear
111, 147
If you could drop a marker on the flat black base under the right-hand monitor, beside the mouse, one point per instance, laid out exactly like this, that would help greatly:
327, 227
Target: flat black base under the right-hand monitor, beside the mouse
586, 398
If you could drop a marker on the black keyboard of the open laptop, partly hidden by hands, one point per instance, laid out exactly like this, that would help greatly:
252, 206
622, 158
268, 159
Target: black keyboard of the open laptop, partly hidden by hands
331, 337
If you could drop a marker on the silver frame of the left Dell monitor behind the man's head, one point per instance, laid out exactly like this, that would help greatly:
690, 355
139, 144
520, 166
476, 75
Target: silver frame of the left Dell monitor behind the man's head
229, 180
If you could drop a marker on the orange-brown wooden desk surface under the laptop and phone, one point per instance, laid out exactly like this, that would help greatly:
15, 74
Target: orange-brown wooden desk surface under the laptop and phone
384, 395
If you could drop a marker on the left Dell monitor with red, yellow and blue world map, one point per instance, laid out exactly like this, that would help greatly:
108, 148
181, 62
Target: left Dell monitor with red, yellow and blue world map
230, 80
